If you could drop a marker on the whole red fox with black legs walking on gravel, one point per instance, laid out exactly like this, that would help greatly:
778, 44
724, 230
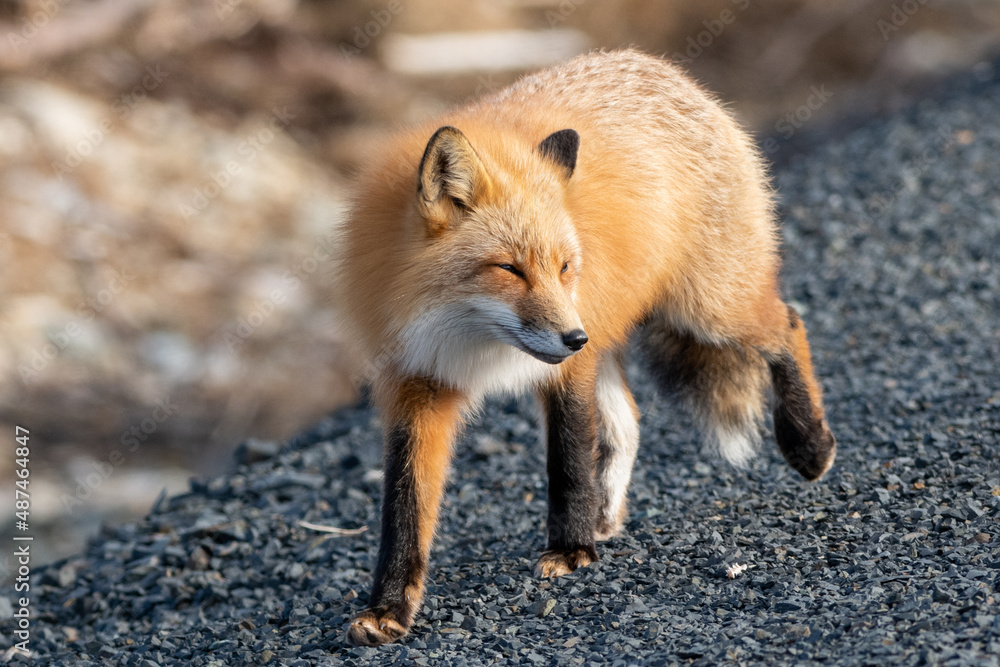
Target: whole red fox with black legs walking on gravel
517, 244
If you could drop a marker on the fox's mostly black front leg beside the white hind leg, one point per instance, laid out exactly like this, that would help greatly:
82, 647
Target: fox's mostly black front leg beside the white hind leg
571, 433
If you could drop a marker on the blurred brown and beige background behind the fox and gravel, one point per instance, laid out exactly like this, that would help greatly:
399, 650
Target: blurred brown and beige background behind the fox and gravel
168, 171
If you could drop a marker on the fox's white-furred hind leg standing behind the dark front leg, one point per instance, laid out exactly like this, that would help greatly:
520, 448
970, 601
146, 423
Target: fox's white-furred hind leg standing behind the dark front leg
617, 444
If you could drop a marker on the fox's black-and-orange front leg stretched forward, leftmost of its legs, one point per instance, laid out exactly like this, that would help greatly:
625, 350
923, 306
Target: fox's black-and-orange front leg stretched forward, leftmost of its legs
421, 423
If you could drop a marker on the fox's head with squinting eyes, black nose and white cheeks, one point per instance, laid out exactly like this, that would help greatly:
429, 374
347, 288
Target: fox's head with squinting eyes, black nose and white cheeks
505, 256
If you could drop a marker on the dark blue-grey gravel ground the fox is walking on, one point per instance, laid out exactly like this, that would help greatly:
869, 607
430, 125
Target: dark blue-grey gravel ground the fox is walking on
892, 238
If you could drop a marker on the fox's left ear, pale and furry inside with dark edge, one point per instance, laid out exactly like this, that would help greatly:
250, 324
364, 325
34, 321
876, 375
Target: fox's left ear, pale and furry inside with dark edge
451, 179
